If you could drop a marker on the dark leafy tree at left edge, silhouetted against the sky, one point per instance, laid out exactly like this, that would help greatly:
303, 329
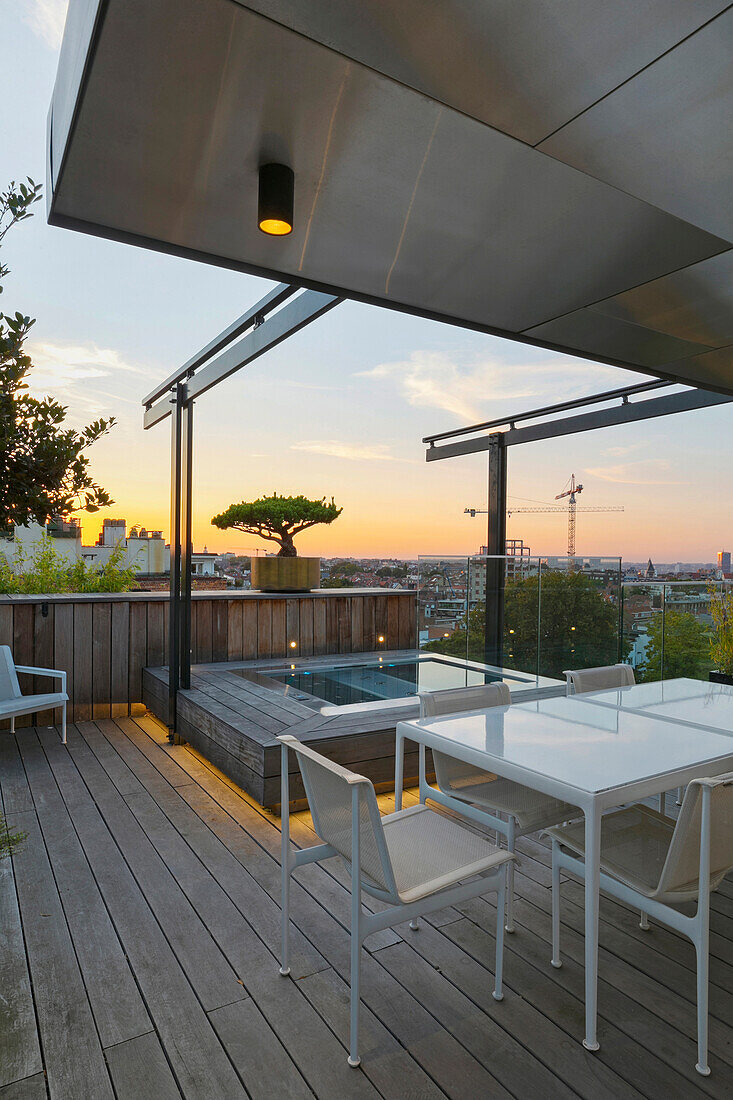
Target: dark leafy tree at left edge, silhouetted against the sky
45, 470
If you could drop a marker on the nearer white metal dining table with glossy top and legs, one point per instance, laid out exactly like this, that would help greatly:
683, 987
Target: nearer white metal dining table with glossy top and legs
596, 756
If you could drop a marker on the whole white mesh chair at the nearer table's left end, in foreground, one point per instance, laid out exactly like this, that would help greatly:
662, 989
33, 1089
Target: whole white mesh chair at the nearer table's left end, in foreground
417, 861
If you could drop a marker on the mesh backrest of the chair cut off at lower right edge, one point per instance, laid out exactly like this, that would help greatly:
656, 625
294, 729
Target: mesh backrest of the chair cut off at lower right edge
682, 867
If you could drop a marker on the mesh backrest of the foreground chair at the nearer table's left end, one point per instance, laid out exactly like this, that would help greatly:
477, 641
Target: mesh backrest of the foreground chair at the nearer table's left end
330, 790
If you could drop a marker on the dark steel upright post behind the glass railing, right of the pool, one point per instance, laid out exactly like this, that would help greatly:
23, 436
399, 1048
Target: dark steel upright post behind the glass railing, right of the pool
496, 549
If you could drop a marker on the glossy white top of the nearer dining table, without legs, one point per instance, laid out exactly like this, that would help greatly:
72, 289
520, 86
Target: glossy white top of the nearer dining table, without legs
577, 744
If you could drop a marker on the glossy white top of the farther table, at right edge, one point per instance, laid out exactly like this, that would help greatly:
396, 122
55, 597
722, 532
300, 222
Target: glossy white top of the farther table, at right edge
694, 702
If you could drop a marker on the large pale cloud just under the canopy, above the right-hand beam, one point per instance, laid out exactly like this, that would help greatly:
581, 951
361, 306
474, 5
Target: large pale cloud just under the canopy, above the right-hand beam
434, 380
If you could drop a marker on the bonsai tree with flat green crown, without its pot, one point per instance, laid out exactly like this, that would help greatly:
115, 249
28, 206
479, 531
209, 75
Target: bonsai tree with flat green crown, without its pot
278, 519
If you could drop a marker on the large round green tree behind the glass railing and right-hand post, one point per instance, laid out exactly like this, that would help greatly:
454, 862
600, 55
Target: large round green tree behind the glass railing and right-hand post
567, 615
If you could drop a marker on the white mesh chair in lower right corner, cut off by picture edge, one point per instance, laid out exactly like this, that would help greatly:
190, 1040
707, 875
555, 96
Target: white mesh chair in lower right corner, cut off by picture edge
655, 864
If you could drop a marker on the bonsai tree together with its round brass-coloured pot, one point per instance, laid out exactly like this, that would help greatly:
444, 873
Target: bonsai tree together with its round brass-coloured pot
279, 520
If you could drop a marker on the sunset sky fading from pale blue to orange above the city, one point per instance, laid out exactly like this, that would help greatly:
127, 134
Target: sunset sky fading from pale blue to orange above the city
341, 409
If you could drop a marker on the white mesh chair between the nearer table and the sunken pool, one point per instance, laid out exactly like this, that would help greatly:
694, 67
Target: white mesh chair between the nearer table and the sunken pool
483, 795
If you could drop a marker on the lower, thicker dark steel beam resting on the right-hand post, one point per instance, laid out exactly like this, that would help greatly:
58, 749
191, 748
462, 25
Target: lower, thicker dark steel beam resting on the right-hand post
686, 402
